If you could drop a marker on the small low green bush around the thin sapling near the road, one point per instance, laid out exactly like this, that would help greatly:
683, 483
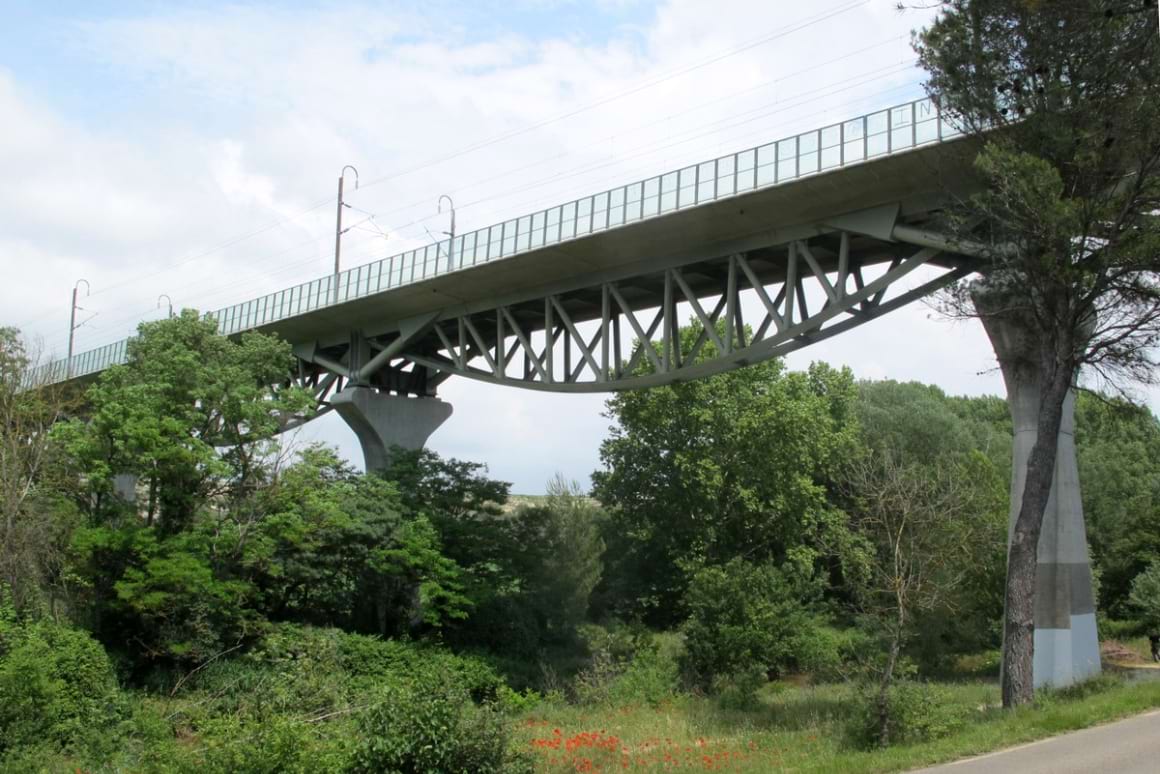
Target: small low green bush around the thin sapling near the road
919, 712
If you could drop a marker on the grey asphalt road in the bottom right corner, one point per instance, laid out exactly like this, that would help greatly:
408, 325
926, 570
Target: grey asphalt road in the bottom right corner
1130, 747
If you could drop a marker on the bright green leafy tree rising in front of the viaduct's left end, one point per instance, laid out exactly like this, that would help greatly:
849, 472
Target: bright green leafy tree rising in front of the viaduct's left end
192, 414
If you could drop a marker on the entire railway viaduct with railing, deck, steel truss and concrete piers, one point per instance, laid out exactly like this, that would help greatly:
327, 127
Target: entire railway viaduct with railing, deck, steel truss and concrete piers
767, 250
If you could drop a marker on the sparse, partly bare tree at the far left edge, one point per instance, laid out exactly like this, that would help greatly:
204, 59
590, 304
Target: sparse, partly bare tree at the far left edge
34, 520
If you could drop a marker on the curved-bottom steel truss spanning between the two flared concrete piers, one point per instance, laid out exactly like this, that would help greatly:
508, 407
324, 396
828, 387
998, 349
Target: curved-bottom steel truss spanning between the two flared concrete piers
625, 334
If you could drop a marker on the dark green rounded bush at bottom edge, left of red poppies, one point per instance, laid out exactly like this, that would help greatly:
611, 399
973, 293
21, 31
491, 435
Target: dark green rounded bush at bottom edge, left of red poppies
429, 724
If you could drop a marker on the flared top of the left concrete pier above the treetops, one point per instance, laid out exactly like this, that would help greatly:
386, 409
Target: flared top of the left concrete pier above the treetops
383, 421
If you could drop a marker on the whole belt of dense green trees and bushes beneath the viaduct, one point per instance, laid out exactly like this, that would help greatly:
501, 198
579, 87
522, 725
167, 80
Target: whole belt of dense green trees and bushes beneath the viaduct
253, 610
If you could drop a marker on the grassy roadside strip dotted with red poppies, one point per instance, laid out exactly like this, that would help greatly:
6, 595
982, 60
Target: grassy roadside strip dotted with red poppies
806, 729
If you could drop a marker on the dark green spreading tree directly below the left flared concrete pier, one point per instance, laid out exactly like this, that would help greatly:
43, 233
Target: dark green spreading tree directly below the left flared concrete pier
333, 547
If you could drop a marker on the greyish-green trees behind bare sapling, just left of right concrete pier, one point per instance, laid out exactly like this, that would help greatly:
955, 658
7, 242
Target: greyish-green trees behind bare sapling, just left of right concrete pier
936, 476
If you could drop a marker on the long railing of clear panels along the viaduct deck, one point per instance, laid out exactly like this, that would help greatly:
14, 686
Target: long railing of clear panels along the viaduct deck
875, 135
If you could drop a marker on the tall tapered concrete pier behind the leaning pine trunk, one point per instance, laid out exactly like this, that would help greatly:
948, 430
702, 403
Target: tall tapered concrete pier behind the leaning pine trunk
1067, 643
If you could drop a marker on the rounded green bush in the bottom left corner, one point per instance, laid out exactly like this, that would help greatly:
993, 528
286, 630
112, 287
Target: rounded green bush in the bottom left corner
56, 686
